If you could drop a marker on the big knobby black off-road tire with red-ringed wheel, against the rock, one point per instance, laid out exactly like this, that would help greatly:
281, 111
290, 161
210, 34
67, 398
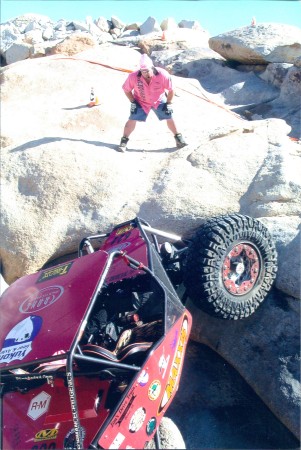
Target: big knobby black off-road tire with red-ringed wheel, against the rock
230, 266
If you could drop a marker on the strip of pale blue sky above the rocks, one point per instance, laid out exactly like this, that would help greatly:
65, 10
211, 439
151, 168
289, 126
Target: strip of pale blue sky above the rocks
215, 16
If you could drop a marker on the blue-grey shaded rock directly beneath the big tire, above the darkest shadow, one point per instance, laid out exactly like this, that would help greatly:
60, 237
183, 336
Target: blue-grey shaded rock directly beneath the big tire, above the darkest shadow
264, 349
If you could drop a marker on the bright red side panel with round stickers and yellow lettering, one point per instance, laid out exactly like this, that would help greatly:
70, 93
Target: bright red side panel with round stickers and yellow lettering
151, 393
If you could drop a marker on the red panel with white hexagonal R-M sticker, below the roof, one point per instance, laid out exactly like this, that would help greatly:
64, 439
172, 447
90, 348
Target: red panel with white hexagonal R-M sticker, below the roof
43, 418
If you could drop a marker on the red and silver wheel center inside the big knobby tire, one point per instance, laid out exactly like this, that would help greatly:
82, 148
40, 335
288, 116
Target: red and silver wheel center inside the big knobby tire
241, 269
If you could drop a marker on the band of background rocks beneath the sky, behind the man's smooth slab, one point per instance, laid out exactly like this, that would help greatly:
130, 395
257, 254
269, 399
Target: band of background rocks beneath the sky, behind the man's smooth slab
265, 51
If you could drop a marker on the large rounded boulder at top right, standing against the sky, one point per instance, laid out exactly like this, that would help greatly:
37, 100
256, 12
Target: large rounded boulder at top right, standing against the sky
260, 44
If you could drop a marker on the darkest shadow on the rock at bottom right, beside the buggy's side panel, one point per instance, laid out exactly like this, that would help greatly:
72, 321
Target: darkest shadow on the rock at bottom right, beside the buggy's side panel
215, 408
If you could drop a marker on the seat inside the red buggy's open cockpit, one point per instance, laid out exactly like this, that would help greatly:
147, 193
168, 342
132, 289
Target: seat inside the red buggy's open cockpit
131, 342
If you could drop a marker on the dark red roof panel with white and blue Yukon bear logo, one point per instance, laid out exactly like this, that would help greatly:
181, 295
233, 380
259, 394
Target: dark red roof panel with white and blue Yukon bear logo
28, 308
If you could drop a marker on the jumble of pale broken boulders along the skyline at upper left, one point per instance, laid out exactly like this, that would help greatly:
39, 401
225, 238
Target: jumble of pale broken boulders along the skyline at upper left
32, 32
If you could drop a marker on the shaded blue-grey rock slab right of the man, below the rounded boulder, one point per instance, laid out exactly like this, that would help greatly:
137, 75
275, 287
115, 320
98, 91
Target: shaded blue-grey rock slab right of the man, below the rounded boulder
273, 91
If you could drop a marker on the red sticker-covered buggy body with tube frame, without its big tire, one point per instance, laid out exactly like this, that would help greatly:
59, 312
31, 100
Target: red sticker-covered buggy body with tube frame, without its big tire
47, 313
